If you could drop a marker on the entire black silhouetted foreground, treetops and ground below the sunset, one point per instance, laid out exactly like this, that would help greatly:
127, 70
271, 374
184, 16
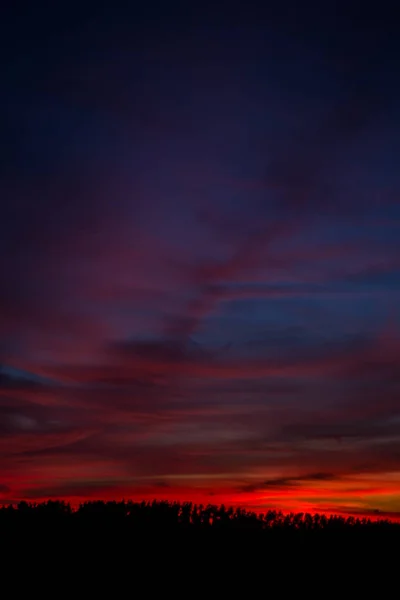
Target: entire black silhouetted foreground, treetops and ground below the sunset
187, 547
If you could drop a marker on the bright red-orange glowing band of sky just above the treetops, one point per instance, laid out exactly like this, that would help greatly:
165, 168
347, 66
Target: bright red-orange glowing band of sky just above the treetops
361, 496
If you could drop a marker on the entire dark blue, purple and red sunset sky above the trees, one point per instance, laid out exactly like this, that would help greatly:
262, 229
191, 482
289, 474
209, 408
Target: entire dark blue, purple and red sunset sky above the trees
200, 254
